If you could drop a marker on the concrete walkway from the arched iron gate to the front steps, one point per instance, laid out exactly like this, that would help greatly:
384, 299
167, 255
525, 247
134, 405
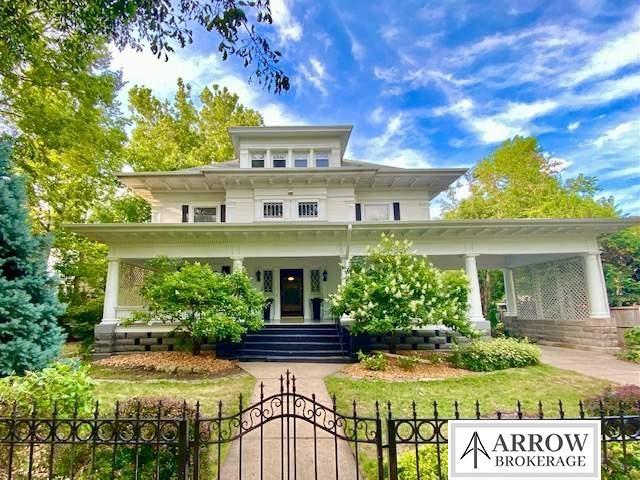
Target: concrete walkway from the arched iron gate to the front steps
309, 380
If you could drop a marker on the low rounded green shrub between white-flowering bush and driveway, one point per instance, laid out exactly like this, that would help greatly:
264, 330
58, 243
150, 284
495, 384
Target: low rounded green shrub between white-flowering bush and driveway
495, 354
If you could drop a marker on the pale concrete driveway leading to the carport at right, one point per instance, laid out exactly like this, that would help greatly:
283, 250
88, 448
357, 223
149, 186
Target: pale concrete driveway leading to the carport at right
594, 364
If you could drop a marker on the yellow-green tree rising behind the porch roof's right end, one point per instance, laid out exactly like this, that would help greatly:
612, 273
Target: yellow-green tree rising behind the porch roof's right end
517, 180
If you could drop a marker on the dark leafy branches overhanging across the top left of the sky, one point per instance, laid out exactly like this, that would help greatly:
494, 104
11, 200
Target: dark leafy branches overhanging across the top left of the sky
61, 32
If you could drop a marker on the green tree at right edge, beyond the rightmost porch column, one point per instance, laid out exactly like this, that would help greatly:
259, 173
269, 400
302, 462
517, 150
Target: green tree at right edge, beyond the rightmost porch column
621, 262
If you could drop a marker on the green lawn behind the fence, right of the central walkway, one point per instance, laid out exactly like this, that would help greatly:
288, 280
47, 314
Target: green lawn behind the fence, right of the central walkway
495, 391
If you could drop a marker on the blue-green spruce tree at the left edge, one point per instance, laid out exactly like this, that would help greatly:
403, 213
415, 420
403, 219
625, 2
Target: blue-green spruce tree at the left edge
29, 333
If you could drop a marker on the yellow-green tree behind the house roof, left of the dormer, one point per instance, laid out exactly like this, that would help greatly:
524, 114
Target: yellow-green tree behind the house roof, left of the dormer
173, 135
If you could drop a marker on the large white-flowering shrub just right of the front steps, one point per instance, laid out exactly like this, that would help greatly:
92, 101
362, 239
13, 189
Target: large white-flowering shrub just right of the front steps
393, 290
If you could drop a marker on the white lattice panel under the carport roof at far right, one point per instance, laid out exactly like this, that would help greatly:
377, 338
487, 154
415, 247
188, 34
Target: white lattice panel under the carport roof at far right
552, 291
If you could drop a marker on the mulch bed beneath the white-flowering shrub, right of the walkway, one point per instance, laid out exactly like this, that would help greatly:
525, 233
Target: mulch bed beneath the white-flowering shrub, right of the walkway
421, 371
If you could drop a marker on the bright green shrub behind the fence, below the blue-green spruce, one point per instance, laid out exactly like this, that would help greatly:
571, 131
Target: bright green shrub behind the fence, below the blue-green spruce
65, 384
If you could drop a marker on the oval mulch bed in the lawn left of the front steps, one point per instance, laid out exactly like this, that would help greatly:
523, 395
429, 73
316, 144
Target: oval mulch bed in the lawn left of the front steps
179, 363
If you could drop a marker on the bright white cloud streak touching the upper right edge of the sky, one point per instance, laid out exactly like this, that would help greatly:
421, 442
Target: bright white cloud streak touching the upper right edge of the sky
613, 55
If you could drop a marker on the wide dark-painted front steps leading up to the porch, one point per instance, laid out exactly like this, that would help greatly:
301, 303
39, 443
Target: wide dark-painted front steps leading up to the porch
296, 343
